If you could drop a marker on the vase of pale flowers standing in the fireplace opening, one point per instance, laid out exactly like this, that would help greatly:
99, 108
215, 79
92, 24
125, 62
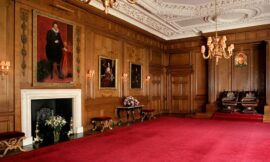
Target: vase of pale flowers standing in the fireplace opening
57, 123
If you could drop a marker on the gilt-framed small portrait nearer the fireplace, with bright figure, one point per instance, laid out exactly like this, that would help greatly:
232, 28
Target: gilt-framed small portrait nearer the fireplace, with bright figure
107, 73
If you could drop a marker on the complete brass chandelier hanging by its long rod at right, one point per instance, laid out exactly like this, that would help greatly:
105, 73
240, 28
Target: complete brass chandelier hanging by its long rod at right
217, 45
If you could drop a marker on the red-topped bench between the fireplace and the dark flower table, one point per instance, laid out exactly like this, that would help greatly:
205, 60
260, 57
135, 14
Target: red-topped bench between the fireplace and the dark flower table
101, 122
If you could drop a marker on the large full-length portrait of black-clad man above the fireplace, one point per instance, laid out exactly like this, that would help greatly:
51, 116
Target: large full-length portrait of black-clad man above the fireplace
53, 60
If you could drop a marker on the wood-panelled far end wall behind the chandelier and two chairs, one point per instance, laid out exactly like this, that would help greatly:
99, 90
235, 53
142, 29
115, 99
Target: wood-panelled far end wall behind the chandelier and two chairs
191, 89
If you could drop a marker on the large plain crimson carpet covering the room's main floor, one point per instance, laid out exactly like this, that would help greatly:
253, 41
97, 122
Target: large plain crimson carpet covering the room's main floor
167, 139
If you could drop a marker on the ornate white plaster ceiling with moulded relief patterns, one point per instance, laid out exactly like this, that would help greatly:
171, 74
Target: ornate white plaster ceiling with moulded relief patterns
175, 19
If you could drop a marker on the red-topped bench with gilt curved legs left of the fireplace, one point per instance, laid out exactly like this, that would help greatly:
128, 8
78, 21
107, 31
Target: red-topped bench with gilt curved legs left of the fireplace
11, 141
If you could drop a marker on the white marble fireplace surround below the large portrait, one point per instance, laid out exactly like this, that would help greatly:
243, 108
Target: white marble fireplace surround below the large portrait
27, 95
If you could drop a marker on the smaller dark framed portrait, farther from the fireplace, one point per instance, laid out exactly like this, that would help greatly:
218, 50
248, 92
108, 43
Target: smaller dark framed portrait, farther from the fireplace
135, 75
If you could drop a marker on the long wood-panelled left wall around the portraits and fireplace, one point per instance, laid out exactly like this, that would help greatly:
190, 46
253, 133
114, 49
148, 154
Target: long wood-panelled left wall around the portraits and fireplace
101, 35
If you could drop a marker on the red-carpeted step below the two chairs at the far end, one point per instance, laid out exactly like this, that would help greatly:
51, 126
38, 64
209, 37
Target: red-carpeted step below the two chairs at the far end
238, 116
